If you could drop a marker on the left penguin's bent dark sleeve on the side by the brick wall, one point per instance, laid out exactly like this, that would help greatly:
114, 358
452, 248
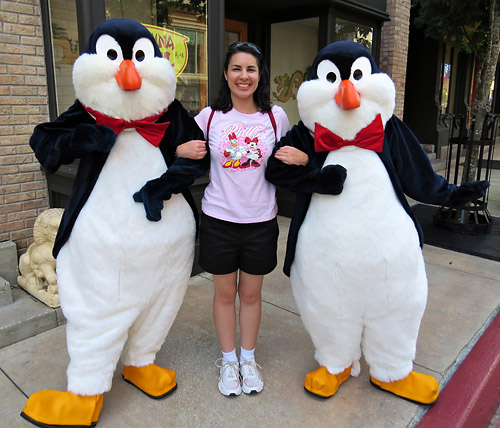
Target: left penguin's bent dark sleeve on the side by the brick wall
73, 135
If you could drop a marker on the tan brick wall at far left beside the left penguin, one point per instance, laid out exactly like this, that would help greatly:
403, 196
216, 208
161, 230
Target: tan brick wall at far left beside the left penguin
23, 104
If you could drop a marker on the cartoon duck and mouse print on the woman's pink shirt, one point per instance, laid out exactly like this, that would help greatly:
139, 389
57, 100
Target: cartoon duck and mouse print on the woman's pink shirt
241, 147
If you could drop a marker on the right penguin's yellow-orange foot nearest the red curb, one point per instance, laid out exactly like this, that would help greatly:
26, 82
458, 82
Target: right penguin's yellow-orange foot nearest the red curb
416, 387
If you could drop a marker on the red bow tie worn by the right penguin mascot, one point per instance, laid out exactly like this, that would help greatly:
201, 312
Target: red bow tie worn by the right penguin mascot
371, 137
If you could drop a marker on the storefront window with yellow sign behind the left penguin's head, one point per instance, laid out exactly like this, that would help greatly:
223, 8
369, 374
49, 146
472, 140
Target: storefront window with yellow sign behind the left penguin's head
180, 29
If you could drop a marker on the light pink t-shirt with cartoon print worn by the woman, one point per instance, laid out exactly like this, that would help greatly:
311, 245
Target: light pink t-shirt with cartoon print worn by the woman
240, 145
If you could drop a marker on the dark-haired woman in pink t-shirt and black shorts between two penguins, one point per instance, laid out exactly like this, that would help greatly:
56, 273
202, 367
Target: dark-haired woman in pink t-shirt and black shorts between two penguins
239, 229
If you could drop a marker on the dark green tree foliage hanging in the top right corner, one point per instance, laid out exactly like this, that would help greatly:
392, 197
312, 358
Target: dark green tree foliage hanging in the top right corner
463, 23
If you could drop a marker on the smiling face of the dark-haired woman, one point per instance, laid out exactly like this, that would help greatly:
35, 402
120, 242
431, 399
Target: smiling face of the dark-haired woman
242, 75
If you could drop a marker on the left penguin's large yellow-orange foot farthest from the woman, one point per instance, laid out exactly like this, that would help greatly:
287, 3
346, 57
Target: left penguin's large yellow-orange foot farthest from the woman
62, 409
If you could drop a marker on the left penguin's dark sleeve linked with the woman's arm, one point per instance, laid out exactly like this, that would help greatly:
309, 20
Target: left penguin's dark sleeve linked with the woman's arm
182, 172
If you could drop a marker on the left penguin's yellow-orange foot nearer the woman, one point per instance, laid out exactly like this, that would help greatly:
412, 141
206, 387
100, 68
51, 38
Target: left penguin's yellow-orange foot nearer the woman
155, 381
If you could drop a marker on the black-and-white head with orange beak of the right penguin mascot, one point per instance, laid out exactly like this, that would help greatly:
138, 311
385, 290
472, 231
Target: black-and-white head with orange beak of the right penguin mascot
345, 91
